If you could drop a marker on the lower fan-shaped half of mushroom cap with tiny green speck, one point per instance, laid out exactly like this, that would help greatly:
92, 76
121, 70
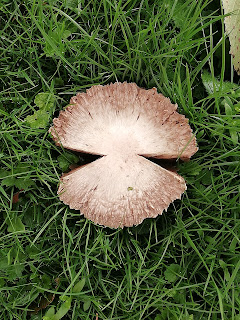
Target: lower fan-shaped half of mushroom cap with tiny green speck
118, 192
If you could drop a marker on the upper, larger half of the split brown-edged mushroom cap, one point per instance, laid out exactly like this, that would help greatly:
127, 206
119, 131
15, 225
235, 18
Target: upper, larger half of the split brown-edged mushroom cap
122, 118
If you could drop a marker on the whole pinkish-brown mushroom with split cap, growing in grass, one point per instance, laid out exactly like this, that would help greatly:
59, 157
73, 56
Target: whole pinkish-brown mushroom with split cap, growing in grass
124, 124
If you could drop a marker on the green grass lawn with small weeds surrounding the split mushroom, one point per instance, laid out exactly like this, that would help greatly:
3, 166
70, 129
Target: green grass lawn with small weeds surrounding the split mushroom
182, 265
